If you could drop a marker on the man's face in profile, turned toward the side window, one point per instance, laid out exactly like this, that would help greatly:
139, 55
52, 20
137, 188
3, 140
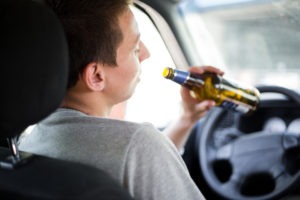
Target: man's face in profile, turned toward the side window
123, 79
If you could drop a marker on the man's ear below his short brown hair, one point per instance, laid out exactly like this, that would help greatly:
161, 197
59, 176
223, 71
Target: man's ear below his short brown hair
93, 76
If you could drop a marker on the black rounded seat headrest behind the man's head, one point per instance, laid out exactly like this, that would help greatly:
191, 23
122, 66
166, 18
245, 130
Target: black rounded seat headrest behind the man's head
33, 63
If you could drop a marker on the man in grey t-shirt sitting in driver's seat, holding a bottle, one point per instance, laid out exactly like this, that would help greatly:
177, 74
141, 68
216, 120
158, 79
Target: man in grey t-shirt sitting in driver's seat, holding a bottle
106, 52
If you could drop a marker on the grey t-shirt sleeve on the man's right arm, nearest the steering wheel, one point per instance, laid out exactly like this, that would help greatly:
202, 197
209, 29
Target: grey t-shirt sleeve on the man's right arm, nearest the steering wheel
155, 170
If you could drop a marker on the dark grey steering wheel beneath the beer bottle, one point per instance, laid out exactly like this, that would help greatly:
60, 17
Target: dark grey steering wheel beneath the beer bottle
249, 164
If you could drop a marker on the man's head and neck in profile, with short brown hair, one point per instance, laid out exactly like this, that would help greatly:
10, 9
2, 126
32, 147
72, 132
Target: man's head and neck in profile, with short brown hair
105, 52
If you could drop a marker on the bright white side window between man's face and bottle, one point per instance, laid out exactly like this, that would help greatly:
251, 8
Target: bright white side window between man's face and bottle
156, 99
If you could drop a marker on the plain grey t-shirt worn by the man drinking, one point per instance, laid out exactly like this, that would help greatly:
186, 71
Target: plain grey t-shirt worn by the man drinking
140, 158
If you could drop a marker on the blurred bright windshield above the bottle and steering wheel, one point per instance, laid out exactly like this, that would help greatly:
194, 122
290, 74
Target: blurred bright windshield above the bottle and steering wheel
257, 42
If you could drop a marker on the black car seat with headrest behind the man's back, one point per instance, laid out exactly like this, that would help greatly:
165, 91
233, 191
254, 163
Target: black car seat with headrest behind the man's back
34, 64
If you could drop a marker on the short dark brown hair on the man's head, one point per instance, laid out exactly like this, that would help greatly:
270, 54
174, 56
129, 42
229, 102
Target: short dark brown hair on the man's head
92, 31
